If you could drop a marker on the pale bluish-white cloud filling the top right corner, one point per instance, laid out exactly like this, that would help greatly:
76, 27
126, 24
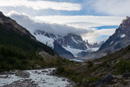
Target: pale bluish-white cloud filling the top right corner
111, 7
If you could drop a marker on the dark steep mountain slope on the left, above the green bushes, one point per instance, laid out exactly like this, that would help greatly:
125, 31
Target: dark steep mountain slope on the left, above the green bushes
11, 33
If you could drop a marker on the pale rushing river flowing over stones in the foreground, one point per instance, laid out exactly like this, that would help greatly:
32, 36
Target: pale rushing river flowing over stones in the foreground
42, 78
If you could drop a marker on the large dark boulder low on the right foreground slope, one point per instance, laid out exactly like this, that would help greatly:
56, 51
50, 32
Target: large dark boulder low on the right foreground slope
107, 79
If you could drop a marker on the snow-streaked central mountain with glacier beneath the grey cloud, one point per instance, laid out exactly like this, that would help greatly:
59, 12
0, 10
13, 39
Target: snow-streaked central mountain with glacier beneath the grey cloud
68, 46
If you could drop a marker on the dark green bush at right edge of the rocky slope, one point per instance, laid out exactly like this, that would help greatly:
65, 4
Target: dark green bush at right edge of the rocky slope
123, 66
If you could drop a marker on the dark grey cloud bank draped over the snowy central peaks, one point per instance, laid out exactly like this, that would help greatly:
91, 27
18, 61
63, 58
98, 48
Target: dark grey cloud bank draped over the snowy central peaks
57, 29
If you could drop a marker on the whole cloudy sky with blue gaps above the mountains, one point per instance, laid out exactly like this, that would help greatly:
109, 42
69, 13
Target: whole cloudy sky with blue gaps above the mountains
94, 20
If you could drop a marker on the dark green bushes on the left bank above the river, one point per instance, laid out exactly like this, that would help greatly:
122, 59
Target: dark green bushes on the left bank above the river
12, 58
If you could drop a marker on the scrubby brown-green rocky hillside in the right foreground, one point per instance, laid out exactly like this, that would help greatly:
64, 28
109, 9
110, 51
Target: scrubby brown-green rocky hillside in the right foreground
112, 70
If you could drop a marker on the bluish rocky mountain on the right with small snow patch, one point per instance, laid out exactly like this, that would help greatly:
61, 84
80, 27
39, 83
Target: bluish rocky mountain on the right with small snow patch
120, 39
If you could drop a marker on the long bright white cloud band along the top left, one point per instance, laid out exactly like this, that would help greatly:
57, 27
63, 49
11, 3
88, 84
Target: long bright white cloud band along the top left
39, 4
